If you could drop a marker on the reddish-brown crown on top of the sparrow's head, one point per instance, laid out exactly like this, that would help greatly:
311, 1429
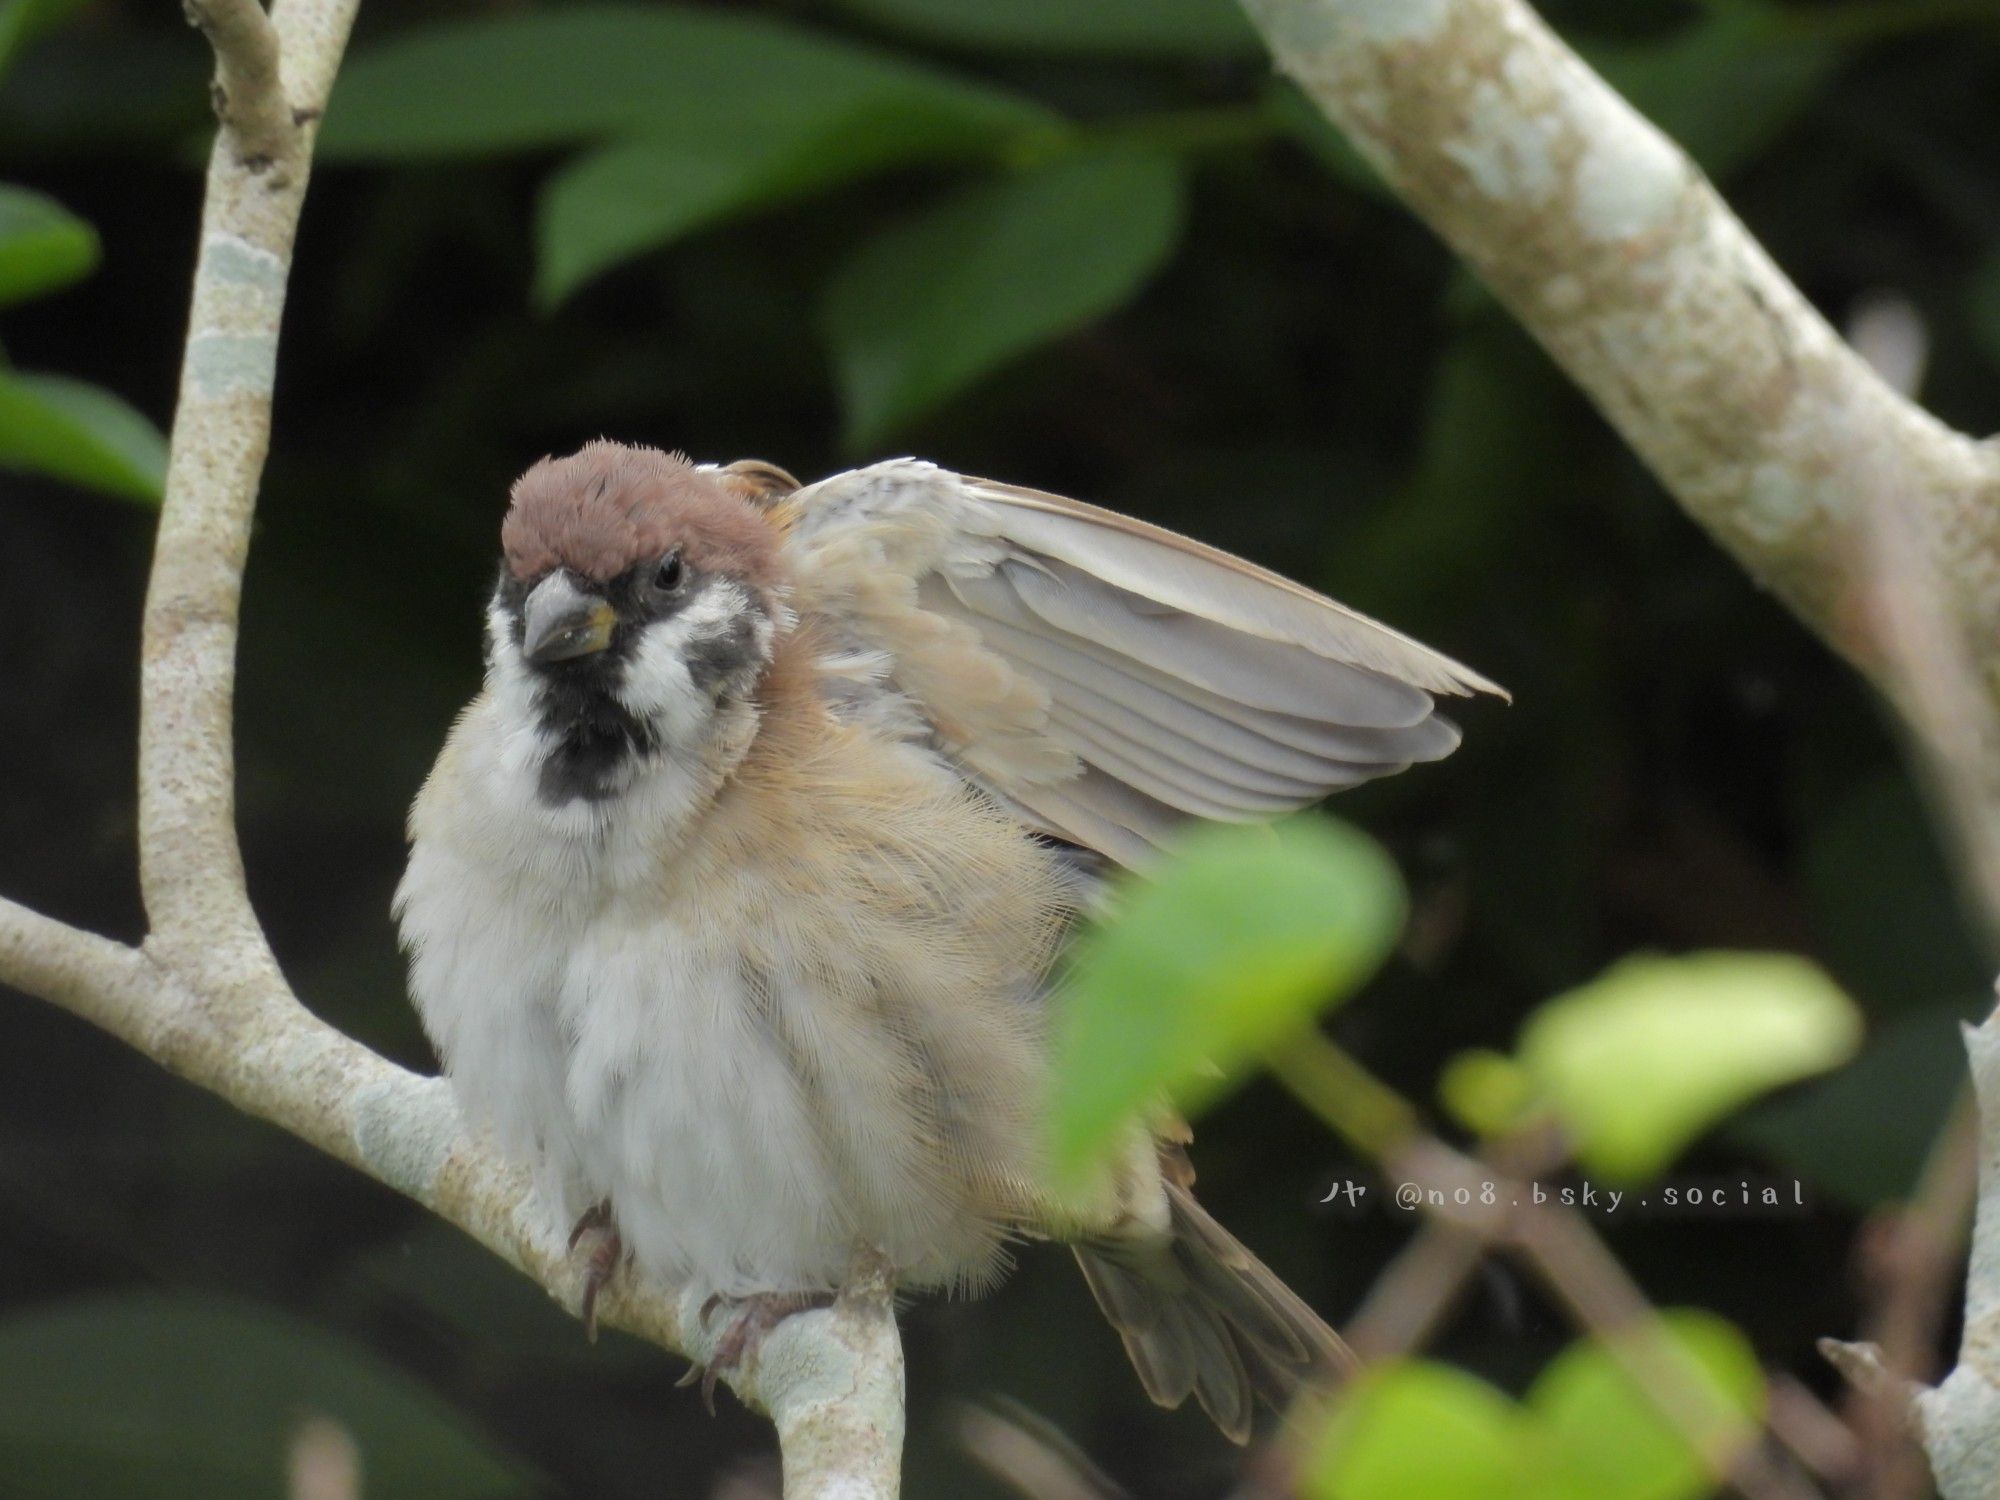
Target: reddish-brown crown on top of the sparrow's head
609, 507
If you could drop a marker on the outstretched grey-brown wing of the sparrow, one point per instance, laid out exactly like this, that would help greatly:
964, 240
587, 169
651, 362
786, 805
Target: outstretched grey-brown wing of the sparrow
1105, 677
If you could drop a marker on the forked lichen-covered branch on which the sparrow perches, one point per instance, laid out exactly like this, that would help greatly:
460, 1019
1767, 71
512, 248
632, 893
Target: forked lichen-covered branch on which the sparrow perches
203, 995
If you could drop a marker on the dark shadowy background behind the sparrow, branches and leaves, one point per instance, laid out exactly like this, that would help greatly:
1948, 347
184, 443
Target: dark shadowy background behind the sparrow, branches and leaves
1309, 381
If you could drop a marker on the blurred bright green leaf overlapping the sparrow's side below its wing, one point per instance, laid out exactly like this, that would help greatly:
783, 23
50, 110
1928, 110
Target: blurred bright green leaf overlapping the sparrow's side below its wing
1227, 949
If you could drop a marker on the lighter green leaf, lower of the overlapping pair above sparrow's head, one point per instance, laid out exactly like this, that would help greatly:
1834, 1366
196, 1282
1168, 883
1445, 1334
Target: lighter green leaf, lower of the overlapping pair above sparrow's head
635, 197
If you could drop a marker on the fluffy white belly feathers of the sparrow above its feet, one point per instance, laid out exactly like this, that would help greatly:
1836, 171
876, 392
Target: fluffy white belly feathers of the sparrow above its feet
745, 1139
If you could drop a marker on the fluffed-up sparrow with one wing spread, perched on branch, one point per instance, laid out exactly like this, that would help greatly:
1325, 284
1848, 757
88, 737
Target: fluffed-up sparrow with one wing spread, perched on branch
735, 893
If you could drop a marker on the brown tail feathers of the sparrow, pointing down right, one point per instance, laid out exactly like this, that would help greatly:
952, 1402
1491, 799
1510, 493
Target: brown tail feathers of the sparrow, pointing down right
1201, 1315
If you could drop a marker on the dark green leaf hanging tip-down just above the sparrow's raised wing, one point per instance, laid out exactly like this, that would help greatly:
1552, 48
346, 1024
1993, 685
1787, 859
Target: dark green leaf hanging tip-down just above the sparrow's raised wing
933, 303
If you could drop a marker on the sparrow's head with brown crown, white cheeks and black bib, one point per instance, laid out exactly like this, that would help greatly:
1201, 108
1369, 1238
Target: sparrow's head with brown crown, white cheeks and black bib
639, 597
